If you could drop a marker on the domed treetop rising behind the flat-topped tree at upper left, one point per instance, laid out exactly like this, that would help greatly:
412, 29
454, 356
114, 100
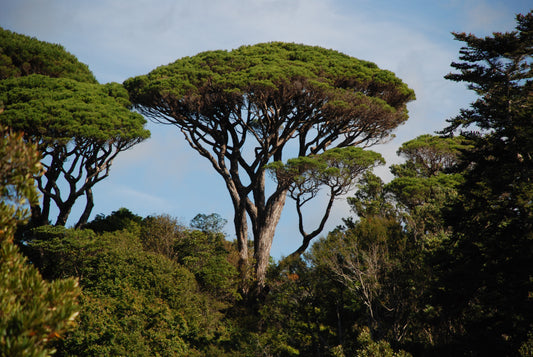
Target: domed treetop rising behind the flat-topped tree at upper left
21, 55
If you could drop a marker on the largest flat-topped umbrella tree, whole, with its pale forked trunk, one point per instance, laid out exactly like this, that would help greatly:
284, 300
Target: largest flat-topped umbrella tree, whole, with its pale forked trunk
246, 108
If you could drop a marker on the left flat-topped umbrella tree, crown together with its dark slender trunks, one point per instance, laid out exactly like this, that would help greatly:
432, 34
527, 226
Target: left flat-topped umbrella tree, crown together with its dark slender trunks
79, 127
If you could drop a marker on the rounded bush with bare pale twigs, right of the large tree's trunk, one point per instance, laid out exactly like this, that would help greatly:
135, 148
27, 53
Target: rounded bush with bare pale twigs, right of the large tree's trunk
378, 264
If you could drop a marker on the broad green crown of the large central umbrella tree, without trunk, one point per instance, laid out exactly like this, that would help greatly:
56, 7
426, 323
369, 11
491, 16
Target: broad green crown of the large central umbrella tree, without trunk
278, 83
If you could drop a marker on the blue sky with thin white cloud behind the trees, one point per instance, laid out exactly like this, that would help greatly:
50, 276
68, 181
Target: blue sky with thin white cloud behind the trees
119, 39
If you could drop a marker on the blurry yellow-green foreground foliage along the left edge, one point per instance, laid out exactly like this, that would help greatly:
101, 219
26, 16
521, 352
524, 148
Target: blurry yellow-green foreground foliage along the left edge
33, 312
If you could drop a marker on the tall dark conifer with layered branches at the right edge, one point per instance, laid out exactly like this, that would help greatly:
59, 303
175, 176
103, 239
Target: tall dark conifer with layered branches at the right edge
485, 279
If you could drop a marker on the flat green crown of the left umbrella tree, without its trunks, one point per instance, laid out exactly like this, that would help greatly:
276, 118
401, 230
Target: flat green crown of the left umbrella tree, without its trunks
57, 109
